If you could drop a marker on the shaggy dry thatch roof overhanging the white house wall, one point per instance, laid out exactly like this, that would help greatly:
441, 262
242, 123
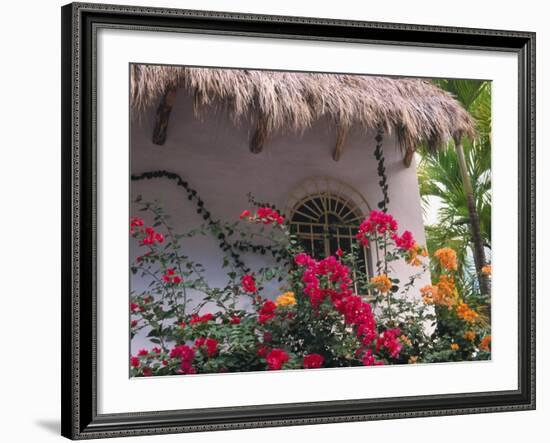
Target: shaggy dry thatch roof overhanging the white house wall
415, 108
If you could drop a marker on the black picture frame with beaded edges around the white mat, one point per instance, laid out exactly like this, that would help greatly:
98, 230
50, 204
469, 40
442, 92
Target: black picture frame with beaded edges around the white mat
79, 174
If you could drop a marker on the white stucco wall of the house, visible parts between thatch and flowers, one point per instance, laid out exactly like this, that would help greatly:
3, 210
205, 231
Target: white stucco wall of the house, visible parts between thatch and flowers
212, 154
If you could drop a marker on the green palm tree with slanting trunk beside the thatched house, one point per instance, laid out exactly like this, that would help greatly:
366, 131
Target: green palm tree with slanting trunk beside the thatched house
448, 175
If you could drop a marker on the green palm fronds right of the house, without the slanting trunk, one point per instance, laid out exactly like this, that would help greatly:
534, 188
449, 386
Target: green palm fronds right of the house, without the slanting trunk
440, 180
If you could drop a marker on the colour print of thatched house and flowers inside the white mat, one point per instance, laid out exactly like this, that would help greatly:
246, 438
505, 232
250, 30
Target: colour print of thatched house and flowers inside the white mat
301, 220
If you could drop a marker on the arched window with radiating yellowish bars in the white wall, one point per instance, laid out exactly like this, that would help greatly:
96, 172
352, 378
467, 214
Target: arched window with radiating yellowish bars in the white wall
325, 221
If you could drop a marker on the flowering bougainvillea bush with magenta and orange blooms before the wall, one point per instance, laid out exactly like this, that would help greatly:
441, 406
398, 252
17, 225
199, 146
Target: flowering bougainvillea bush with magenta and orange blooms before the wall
329, 313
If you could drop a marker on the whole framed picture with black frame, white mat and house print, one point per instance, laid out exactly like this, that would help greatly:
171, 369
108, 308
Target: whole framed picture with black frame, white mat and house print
273, 221
